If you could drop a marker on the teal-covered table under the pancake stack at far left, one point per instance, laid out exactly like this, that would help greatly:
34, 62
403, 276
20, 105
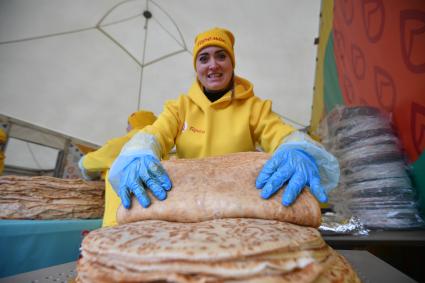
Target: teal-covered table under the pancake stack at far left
27, 245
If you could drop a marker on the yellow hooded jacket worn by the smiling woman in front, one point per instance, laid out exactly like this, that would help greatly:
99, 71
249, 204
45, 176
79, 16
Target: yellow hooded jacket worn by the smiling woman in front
233, 123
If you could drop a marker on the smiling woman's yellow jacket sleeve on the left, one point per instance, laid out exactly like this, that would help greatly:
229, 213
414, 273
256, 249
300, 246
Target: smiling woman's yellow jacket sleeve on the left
167, 126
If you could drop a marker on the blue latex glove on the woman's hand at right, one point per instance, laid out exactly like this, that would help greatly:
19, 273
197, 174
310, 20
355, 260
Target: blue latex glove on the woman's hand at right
295, 166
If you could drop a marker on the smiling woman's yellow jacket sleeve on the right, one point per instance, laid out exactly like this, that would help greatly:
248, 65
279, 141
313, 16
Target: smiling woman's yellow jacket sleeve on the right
269, 129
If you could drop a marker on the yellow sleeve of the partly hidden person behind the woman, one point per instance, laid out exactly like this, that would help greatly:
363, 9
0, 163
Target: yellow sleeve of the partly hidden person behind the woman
103, 158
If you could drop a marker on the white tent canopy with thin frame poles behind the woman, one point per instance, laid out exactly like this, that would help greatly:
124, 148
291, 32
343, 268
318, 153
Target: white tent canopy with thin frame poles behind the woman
81, 67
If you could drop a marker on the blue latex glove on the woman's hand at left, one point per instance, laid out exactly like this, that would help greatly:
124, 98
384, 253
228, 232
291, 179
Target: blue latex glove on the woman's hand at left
144, 172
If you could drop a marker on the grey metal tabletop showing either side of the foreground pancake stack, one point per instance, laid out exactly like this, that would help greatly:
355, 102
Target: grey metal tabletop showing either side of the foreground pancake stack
369, 268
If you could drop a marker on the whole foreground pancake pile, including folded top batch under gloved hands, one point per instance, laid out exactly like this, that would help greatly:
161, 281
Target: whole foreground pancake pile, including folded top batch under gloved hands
214, 227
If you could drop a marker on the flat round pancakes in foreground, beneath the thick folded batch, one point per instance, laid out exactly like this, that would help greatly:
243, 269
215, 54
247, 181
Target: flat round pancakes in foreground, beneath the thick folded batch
224, 250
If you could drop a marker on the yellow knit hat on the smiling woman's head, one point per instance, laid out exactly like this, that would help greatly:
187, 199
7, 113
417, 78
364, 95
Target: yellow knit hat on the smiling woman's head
215, 37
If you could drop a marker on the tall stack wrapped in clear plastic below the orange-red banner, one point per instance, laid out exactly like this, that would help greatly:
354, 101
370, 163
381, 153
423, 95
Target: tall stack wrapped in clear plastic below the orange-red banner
374, 183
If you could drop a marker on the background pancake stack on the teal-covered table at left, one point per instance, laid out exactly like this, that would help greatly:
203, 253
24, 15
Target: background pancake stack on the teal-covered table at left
44, 197
